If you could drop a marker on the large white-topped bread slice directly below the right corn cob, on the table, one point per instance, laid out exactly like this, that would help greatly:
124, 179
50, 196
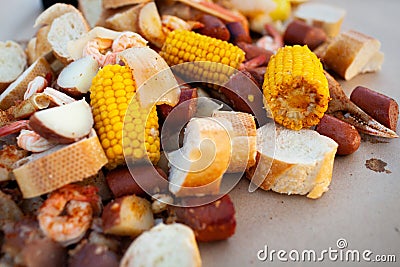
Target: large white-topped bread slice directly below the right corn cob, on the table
293, 162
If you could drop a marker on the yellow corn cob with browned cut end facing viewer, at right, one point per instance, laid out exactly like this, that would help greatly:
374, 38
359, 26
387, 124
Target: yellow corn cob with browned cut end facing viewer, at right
295, 87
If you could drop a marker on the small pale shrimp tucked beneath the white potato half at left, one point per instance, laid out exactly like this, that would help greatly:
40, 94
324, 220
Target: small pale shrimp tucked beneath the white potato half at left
33, 142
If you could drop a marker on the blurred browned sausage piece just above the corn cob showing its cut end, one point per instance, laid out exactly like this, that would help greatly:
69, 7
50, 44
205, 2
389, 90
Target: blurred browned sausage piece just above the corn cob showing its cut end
299, 32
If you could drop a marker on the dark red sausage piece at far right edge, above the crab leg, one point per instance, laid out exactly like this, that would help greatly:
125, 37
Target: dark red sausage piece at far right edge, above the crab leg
380, 107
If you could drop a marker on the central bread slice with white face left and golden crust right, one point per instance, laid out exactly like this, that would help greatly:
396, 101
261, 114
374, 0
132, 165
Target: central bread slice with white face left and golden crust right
197, 168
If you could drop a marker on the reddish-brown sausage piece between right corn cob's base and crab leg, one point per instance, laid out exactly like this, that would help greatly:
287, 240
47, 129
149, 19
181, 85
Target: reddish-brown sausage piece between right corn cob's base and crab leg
341, 132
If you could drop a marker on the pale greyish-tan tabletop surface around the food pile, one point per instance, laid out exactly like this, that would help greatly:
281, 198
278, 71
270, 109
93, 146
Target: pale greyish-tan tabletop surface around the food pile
362, 206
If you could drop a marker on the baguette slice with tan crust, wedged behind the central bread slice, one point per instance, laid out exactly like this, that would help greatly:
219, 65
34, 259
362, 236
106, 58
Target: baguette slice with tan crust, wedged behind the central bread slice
242, 132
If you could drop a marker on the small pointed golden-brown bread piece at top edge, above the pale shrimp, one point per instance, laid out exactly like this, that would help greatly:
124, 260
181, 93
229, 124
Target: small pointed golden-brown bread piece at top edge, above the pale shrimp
126, 20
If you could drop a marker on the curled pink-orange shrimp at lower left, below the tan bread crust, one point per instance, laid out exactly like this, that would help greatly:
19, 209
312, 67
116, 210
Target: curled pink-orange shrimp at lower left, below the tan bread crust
67, 214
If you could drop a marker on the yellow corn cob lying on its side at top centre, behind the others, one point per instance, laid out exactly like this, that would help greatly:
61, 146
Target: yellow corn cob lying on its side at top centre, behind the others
218, 58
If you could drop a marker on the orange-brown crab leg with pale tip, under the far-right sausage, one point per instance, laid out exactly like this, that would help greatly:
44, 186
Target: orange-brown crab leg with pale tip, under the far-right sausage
341, 107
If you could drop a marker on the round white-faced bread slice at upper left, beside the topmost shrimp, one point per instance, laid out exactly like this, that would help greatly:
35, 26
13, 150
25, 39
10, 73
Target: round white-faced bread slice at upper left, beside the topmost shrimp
68, 27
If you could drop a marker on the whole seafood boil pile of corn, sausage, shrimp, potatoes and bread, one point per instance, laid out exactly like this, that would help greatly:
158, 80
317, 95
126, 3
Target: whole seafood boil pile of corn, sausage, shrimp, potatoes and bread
124, 124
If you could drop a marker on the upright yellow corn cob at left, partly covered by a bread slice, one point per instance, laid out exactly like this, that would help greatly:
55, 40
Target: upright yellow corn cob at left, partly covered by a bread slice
112, 98
